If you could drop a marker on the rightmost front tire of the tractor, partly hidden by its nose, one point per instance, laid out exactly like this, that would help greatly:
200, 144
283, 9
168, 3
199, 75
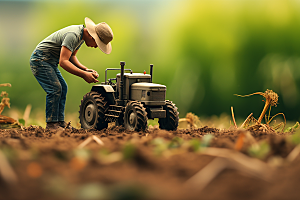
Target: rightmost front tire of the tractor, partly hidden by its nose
169, 123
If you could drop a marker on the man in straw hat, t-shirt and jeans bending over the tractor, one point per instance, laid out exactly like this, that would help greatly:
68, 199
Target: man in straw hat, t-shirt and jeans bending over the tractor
61, 48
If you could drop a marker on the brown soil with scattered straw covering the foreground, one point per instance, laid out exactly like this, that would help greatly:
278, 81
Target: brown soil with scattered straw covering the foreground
155, 164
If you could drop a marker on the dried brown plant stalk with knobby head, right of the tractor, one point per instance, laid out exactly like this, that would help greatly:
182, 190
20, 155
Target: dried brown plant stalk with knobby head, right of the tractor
271, 99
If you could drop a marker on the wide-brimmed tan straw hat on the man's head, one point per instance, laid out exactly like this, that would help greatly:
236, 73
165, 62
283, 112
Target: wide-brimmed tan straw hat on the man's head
102, 34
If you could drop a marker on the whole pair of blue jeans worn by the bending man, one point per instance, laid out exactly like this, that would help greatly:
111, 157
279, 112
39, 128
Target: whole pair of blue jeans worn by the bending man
49, 77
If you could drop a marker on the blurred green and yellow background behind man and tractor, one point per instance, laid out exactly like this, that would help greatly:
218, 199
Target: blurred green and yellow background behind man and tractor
204, 51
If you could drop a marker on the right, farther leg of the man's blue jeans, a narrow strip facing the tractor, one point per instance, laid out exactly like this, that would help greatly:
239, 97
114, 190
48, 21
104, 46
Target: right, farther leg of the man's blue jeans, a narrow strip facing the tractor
63, 97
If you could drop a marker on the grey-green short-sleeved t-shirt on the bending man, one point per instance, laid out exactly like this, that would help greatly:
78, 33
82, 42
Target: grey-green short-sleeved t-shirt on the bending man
70, 37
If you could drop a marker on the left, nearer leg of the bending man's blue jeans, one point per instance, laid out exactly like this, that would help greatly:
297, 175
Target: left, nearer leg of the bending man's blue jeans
46, 75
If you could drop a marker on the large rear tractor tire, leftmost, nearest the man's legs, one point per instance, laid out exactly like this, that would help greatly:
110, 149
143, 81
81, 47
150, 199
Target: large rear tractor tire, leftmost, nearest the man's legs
92, 111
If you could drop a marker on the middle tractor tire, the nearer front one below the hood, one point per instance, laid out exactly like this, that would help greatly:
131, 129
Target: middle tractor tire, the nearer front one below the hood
135, 116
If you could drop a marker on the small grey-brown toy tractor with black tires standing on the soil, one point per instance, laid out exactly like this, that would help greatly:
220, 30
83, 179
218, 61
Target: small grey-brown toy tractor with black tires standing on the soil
130, 100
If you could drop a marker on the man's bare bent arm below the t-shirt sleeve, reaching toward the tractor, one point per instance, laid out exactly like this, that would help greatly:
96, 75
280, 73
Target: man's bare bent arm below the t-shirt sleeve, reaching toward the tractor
66, 64
